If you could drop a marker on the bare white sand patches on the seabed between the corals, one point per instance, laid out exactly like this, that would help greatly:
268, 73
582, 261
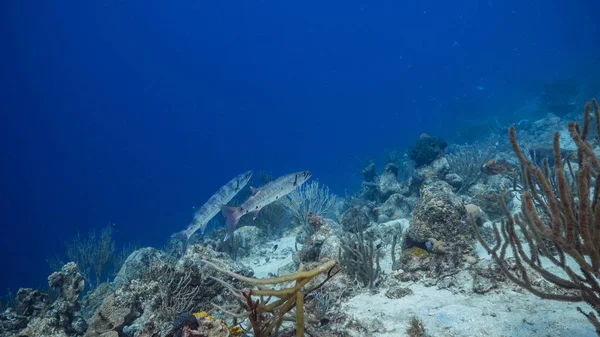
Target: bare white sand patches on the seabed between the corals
503, 314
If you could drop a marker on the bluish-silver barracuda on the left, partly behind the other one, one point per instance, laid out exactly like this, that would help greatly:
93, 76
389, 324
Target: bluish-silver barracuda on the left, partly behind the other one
203, 214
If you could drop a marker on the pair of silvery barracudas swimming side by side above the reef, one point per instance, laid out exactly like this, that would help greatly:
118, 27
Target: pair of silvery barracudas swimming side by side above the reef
260, 198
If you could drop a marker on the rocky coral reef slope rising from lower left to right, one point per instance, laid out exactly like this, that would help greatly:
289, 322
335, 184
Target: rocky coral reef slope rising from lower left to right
405, 235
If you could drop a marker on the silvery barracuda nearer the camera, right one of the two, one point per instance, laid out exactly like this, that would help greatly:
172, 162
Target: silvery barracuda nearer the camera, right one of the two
261, 197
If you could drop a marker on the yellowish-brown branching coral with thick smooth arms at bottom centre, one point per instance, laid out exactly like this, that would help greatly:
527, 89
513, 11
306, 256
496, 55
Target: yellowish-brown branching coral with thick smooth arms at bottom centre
271, 307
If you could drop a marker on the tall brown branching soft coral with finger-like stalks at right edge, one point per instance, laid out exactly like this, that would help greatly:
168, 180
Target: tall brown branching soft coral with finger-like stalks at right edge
559, 226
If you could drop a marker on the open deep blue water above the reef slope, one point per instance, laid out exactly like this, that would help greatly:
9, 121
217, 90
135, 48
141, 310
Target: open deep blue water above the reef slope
132, 112
